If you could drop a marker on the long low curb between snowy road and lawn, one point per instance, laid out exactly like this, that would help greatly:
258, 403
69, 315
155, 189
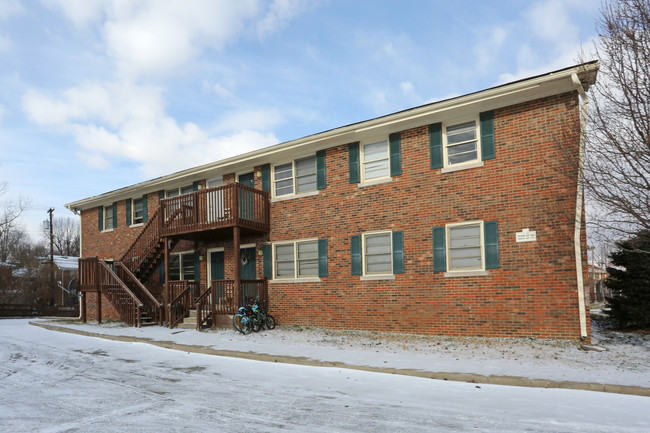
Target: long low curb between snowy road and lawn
300, 360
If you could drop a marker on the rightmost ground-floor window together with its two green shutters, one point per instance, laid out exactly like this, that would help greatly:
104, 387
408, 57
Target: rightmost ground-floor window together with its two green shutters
466, 247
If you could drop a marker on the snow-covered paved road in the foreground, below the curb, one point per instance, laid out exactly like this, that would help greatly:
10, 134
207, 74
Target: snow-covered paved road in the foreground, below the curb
55, 382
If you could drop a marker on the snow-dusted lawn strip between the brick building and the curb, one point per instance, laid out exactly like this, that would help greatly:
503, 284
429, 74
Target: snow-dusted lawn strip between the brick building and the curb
622, 358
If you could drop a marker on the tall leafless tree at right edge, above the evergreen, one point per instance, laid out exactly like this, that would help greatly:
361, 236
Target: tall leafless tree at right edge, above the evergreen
617, 167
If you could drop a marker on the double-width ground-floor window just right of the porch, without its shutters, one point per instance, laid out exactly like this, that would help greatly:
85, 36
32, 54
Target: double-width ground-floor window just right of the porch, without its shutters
296, 259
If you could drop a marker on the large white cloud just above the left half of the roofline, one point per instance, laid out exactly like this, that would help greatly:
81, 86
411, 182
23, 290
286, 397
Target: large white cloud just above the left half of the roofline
116, 122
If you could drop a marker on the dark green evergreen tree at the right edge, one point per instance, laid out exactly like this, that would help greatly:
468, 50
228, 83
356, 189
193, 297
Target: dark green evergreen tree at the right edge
629, 281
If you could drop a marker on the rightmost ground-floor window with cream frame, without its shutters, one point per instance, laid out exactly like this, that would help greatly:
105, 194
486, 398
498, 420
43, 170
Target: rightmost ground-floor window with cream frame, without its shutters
465, 246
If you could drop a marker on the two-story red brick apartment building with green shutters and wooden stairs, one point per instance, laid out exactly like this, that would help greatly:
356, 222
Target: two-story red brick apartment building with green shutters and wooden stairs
461, 217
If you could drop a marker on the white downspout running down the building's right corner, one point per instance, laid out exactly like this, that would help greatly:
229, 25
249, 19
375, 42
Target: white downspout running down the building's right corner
579, 203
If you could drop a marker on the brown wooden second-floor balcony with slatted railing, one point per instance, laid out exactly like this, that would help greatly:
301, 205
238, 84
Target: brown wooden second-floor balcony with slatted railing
215, 209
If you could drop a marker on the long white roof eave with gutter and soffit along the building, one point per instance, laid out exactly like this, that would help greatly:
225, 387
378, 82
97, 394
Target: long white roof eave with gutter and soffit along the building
497, 97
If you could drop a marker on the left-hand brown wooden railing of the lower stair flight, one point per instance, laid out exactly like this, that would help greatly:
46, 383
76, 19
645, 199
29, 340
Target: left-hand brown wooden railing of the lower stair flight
123, 300
